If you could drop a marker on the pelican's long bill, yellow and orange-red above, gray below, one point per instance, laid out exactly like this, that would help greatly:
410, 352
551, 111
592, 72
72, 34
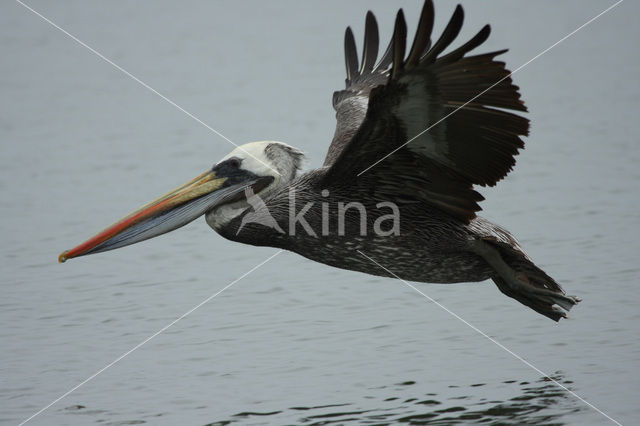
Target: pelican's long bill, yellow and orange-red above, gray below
169, 212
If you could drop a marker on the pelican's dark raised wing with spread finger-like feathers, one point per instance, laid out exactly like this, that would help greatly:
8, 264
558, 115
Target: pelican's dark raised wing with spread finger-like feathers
425, 127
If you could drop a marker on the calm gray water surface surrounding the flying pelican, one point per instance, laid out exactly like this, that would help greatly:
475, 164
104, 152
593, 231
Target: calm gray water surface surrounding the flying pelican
297, 342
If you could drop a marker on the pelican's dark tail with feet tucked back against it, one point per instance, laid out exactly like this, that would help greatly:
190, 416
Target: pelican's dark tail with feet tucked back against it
518, 277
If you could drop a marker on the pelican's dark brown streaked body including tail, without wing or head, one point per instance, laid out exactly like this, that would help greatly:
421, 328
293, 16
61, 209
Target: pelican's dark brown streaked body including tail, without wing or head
430, 247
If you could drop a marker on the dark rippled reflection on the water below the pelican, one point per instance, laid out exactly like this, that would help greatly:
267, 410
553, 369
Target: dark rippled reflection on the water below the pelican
542, 402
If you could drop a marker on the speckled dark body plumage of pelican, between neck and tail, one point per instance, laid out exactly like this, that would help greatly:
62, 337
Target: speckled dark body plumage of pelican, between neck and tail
431, 246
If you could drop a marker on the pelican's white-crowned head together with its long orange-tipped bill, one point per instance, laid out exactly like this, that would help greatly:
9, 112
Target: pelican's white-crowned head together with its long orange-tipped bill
256, 168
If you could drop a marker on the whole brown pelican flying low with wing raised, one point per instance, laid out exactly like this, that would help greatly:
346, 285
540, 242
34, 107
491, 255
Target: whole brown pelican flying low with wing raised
395, 194
